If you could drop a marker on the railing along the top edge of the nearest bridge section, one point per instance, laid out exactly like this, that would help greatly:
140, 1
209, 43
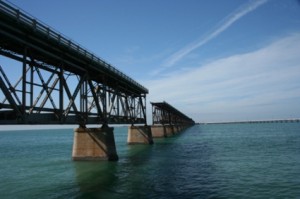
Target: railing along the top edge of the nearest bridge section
62, 40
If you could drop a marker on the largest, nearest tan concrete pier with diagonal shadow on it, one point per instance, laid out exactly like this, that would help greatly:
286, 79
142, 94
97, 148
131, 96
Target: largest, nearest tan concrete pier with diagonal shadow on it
94, 144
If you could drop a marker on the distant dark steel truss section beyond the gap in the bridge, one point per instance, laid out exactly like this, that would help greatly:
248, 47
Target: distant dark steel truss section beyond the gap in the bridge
163, 113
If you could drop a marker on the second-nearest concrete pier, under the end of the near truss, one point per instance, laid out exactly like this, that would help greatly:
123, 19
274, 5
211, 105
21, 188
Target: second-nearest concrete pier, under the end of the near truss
139, 135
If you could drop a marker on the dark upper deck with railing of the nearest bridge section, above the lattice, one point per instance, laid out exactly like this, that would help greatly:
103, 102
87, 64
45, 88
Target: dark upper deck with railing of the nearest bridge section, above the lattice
50, 47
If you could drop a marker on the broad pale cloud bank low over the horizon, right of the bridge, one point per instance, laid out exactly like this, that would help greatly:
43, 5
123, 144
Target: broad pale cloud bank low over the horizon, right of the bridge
262, 84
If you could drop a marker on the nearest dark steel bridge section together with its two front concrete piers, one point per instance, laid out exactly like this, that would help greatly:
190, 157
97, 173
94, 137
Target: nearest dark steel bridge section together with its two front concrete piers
50, 79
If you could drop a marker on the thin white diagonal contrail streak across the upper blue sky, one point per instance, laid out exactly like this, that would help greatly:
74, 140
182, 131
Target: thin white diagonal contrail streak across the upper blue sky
225, 24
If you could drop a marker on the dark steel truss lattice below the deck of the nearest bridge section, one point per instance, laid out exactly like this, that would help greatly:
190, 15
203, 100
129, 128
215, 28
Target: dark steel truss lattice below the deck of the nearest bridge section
48, 94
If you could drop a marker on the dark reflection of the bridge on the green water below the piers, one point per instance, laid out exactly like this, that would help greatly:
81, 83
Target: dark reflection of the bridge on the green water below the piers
171, 168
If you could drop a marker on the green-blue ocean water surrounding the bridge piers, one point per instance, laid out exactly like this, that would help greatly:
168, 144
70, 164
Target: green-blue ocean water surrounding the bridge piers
204, 161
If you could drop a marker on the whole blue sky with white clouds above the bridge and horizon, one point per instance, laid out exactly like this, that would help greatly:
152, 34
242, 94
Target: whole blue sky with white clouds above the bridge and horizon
213, 60
